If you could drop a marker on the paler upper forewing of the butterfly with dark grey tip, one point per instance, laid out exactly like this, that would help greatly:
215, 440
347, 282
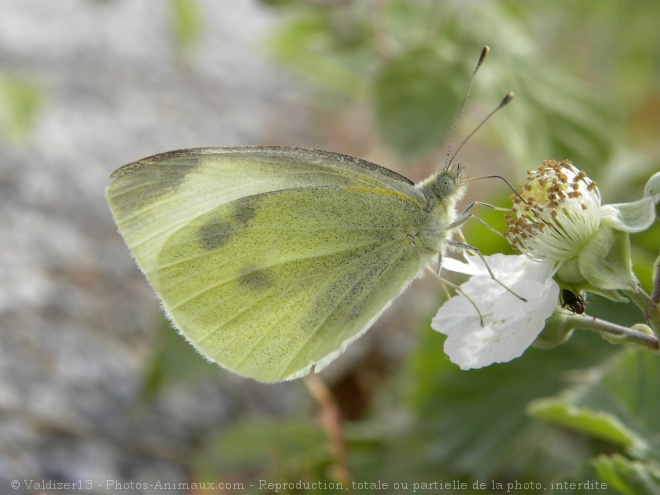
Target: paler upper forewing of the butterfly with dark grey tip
154, 196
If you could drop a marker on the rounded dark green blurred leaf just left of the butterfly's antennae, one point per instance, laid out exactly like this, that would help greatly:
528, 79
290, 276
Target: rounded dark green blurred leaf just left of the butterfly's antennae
415, 103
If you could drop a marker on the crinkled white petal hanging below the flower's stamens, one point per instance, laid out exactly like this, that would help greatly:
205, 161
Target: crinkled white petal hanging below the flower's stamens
509, 324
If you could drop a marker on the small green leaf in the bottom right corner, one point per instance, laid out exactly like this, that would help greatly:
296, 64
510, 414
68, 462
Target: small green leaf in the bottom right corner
629, 477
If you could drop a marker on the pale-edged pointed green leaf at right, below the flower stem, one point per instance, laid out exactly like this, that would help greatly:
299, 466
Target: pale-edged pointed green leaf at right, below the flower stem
621, 406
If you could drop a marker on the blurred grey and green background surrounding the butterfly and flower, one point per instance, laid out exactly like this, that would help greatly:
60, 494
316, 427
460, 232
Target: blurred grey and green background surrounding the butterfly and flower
94, 385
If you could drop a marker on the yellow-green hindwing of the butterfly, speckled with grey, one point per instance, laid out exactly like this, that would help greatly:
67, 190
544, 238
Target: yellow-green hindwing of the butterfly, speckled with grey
271, 284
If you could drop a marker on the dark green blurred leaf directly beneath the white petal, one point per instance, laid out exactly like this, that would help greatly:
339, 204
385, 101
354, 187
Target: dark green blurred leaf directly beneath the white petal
475, 421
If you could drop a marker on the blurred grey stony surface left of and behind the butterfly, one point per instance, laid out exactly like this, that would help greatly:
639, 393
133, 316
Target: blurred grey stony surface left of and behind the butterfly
78, 323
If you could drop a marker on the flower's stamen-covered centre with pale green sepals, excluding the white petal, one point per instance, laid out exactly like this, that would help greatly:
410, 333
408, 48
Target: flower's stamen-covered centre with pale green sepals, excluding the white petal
558, 218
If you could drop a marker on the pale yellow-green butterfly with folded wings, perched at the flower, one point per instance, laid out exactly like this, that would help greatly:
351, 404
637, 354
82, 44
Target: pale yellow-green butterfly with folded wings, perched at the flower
272, 260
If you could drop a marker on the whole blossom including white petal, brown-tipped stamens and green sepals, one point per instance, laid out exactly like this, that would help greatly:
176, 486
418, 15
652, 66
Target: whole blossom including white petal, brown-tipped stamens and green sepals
564, 232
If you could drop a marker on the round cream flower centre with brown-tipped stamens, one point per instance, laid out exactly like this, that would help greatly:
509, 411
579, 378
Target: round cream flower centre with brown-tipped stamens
556, 214
